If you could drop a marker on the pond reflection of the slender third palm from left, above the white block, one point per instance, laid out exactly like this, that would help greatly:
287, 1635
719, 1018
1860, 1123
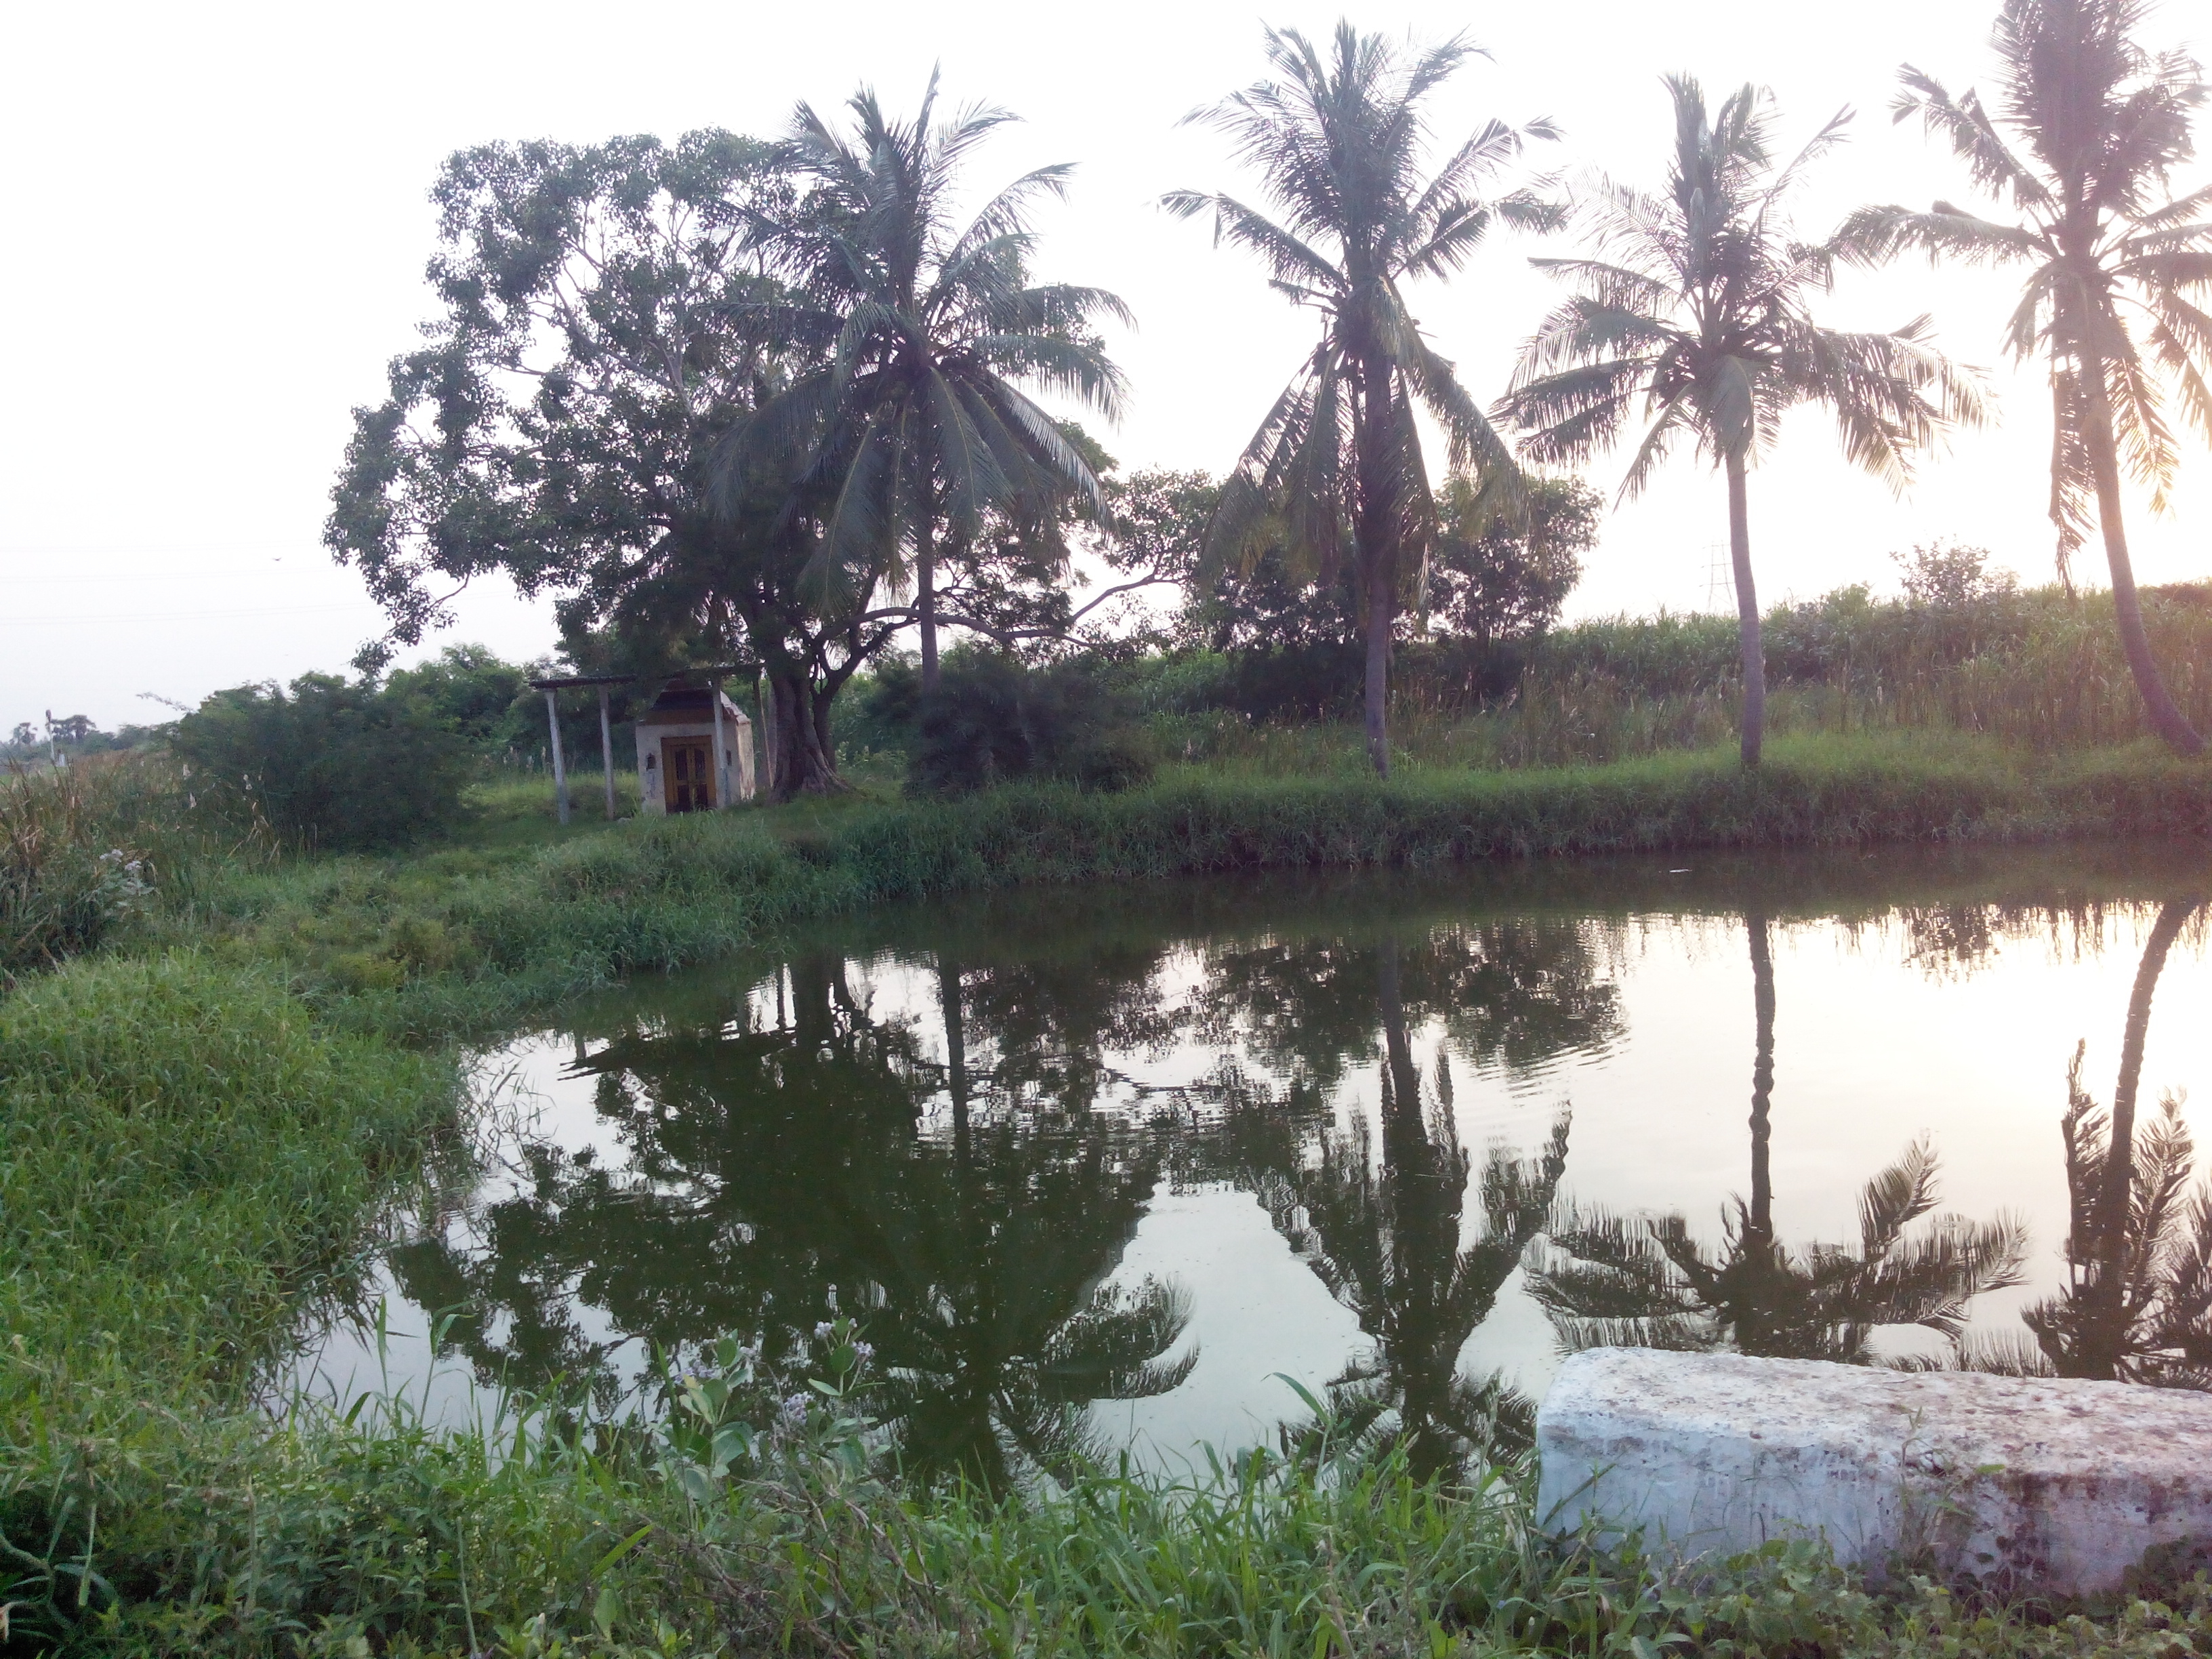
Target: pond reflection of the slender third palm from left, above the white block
1647, 1282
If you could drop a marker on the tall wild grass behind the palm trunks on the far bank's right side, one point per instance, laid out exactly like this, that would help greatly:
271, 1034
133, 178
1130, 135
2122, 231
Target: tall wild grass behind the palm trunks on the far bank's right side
2036, 669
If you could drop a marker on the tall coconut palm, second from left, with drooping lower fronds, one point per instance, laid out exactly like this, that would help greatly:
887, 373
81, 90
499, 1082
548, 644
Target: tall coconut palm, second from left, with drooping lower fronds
1339, 459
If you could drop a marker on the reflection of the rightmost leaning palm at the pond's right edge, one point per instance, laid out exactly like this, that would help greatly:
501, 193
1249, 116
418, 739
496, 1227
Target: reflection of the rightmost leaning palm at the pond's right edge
2138, 1300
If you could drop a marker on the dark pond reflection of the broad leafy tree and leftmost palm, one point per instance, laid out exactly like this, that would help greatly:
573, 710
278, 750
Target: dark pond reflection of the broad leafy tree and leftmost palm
778, 1171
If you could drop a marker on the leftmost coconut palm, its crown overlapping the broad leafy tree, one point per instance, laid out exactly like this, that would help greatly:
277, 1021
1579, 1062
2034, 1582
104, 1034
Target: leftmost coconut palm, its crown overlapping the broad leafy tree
912, 428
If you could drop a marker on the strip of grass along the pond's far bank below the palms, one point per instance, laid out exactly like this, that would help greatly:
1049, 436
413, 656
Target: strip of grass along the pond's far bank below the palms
474, 939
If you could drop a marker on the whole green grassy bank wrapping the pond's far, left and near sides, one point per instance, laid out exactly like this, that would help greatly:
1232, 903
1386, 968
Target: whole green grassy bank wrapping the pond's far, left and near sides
207, 1116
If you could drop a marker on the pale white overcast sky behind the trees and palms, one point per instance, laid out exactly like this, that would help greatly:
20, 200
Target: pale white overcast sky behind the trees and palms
220, 225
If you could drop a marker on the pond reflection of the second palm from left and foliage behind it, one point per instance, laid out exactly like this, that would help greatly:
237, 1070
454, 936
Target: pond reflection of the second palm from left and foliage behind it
1384, 1227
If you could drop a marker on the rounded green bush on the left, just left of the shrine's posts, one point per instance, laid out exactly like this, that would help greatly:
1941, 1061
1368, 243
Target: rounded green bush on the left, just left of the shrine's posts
335, 764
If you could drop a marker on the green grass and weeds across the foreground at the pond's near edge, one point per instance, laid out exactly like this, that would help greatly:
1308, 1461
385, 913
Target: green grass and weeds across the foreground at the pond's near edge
366, 1532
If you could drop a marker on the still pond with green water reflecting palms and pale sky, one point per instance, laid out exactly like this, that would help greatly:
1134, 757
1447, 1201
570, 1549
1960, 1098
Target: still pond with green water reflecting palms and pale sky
1118, 1167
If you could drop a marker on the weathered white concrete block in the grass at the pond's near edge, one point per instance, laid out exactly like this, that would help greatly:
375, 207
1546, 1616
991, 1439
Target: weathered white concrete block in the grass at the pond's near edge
2041, 1483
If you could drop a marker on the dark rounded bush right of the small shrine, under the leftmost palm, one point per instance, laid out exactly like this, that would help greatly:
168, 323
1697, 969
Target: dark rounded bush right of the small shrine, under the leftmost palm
994, 720
